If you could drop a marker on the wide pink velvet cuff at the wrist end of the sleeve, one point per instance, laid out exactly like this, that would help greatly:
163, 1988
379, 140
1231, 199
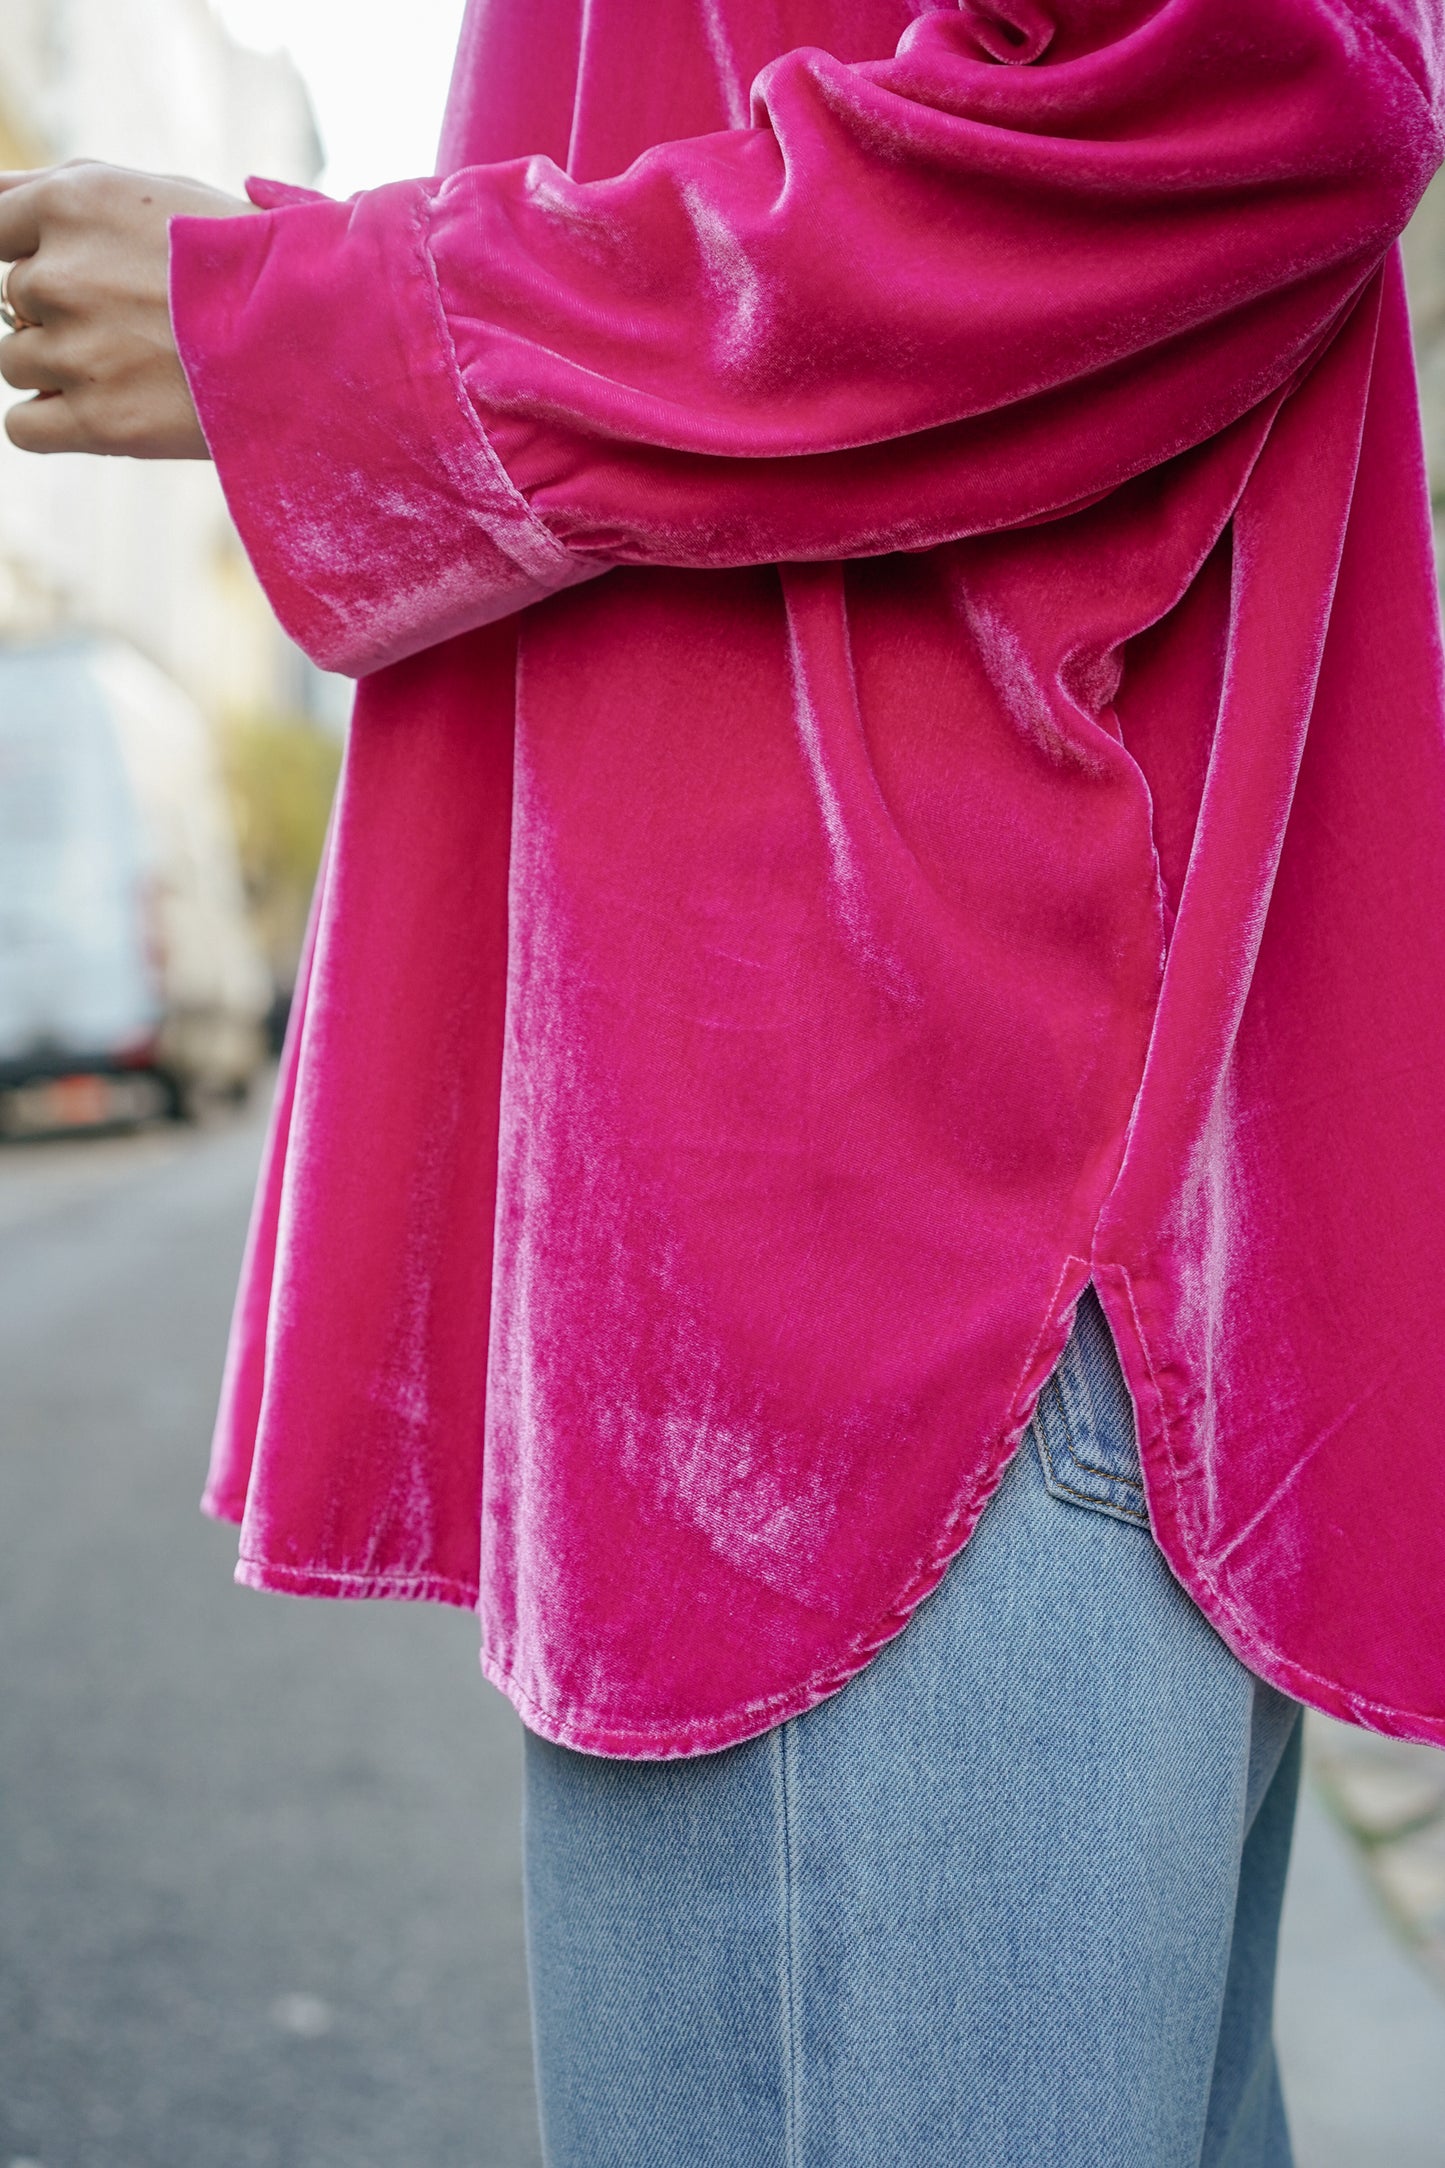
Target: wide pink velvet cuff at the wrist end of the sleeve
359, 474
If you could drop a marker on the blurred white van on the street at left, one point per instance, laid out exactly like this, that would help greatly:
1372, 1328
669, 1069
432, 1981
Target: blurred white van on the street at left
129, 977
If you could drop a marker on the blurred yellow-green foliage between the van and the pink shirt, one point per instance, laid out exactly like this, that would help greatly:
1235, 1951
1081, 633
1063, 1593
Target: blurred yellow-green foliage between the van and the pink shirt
281, 777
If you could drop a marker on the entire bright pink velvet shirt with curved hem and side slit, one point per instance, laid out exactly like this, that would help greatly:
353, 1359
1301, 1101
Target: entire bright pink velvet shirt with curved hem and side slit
900, 769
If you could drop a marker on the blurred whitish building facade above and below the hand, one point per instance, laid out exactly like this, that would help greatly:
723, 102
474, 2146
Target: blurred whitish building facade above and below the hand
133, 547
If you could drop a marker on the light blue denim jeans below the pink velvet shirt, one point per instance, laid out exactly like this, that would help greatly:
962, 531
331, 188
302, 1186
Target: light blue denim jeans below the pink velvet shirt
1008, 1900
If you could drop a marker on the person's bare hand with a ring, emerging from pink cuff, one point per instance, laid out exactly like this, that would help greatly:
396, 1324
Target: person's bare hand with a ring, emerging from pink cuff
90, 259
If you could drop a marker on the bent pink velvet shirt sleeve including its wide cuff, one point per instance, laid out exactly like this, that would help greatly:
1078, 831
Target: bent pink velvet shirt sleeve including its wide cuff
915, 300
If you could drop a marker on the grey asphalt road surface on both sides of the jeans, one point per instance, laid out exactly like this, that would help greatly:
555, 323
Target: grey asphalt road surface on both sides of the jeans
259, 1868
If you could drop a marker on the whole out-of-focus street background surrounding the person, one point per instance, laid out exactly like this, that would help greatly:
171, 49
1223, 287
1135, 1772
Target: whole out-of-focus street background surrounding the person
259, 1866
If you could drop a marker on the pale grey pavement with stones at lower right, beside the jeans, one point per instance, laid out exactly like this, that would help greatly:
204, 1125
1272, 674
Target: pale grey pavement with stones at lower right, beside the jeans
1362, 2019
